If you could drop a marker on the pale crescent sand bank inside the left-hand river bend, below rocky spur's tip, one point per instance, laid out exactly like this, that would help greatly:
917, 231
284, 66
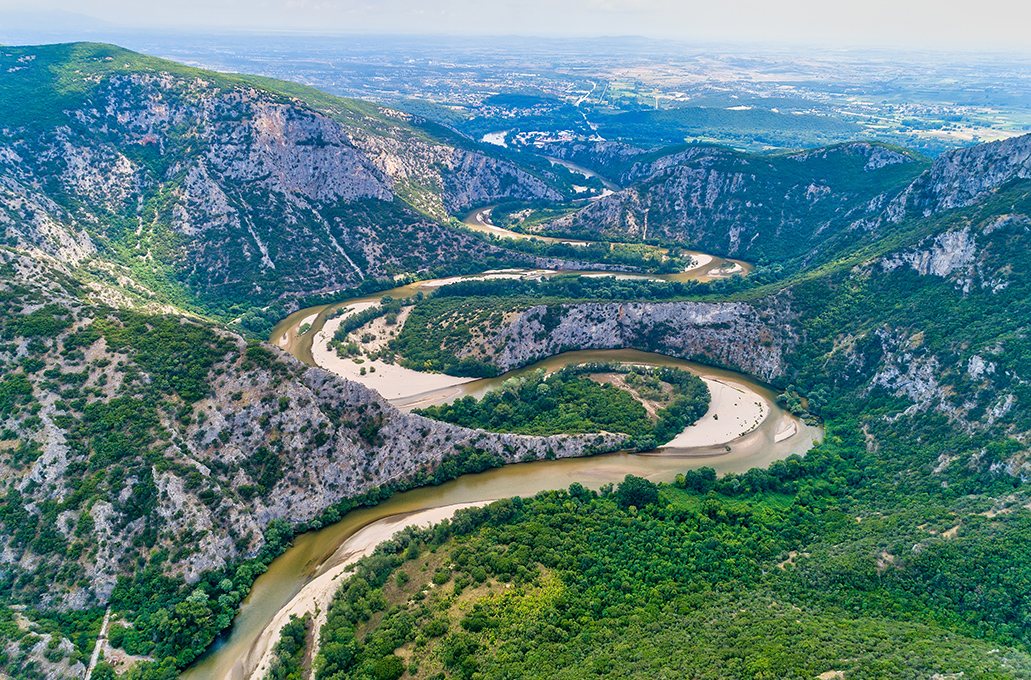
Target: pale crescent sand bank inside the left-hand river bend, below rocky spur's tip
391, 381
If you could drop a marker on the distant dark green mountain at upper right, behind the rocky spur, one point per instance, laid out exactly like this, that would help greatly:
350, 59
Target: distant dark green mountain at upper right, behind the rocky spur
802, 209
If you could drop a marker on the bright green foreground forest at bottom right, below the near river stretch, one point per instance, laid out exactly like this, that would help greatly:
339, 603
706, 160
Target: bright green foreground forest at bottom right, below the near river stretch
712, 584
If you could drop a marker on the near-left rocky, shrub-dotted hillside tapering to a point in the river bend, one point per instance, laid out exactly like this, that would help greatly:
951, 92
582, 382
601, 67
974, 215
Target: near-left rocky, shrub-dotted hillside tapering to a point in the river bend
134, 443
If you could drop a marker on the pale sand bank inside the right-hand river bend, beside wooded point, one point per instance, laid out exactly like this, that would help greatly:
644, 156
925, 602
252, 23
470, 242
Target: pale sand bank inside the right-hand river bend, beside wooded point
734, 412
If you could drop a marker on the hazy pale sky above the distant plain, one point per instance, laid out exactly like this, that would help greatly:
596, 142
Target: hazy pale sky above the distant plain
949, 24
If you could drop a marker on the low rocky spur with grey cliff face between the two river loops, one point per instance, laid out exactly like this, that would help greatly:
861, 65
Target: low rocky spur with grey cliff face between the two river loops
750, 338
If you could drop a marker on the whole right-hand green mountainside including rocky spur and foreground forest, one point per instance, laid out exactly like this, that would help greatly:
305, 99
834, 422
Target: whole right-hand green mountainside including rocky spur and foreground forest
895, 549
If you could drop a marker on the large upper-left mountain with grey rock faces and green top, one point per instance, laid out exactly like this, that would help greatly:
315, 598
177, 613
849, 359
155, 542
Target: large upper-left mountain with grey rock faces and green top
215, 190
